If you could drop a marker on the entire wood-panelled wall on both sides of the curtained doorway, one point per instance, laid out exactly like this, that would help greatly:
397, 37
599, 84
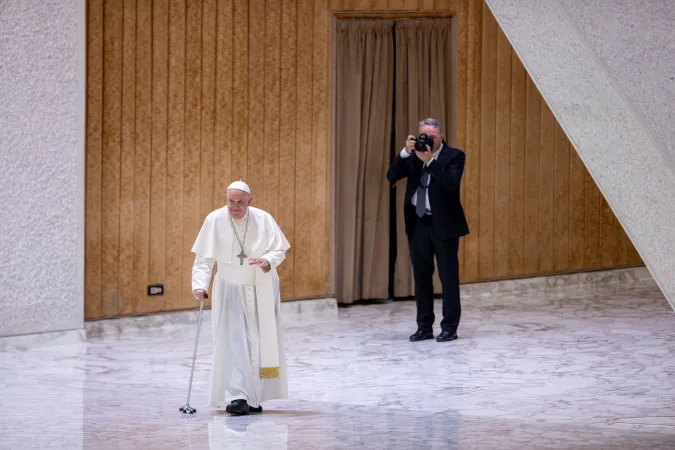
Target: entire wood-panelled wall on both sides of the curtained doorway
186, 96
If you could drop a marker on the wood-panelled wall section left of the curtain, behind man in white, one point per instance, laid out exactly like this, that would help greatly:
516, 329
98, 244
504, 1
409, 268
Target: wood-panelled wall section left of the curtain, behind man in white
183, 98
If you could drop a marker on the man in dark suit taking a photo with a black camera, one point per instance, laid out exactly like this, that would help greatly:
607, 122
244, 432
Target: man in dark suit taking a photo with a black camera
434, 222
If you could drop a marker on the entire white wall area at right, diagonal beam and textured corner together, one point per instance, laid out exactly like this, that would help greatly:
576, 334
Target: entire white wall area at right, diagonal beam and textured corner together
589, 65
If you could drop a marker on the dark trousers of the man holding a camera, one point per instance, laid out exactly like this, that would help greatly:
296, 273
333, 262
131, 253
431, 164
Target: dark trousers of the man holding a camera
424, 245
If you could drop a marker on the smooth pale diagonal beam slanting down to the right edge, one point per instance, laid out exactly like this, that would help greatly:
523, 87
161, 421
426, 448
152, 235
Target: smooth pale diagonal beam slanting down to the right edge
620, 154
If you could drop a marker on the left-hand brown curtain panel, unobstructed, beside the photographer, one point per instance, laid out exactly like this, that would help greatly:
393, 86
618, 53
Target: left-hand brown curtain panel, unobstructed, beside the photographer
364, 83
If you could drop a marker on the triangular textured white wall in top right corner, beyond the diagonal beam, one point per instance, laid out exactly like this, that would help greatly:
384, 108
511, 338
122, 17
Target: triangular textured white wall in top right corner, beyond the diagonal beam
635, 42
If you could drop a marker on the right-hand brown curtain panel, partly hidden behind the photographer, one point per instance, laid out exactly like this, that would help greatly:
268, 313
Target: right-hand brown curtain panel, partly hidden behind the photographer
425, 85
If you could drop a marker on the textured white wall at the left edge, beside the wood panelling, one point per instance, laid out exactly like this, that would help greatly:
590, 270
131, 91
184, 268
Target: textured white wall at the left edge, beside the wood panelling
42, 106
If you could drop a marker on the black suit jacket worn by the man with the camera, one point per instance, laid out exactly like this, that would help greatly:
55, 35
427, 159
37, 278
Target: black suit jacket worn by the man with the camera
444, 188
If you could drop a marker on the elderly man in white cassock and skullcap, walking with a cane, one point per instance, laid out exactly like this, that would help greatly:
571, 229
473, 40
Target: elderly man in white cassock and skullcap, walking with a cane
247, 246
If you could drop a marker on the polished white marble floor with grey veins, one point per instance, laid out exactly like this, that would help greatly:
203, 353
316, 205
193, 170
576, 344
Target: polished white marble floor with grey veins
565, 368
